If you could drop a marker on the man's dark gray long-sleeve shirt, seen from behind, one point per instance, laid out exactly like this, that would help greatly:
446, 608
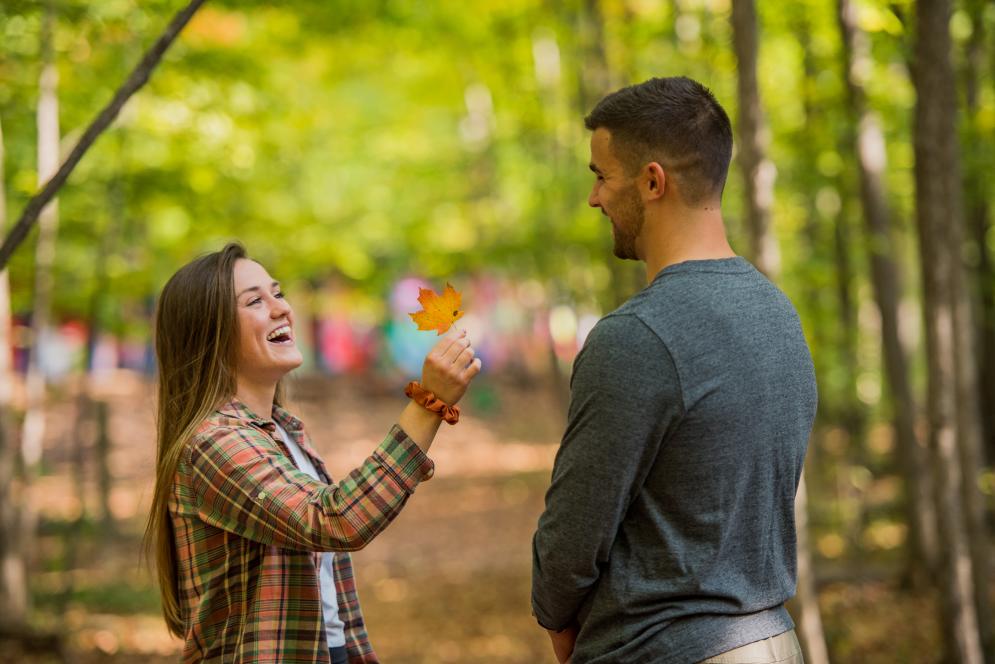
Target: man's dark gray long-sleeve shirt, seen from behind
669, 525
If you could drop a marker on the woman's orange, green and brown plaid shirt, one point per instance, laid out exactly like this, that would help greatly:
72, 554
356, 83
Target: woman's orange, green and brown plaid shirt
247, 524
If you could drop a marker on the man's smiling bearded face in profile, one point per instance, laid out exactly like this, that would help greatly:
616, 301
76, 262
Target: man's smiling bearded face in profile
617, 195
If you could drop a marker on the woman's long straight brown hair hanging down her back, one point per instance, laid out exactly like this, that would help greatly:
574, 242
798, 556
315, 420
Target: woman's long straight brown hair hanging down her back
196, 341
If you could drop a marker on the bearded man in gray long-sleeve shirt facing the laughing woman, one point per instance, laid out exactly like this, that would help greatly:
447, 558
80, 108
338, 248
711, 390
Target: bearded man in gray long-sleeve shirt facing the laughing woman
668, 535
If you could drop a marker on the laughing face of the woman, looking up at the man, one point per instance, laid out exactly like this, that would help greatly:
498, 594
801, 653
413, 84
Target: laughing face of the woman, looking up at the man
266, 348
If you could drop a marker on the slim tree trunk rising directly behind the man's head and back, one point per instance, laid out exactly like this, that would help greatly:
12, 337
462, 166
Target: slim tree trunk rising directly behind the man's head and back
759, 174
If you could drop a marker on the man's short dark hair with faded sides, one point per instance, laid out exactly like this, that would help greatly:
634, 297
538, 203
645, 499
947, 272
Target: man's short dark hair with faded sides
675, 122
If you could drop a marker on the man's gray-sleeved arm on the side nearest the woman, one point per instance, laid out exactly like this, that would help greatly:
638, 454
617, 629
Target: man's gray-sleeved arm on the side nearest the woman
625, 396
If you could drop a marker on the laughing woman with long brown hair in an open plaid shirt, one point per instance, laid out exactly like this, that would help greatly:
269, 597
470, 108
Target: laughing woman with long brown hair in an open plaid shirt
250, 533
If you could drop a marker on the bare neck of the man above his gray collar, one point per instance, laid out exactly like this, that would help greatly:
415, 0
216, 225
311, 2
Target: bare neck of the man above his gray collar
687, 235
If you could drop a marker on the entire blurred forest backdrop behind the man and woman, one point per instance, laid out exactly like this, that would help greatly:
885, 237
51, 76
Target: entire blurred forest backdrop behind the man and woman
362, 150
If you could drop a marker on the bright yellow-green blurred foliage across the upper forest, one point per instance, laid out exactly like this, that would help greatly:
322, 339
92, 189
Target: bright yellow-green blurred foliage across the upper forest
375, 139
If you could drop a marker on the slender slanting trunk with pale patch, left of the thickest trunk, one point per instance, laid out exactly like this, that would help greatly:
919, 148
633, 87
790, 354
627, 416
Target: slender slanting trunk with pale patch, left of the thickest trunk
886, 281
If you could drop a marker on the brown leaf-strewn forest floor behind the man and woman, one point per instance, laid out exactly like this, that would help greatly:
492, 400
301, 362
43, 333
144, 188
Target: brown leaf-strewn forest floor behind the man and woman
447, 582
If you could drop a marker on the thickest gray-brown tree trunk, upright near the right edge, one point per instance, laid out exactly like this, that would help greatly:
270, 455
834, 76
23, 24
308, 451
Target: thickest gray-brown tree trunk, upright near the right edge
938, 212
